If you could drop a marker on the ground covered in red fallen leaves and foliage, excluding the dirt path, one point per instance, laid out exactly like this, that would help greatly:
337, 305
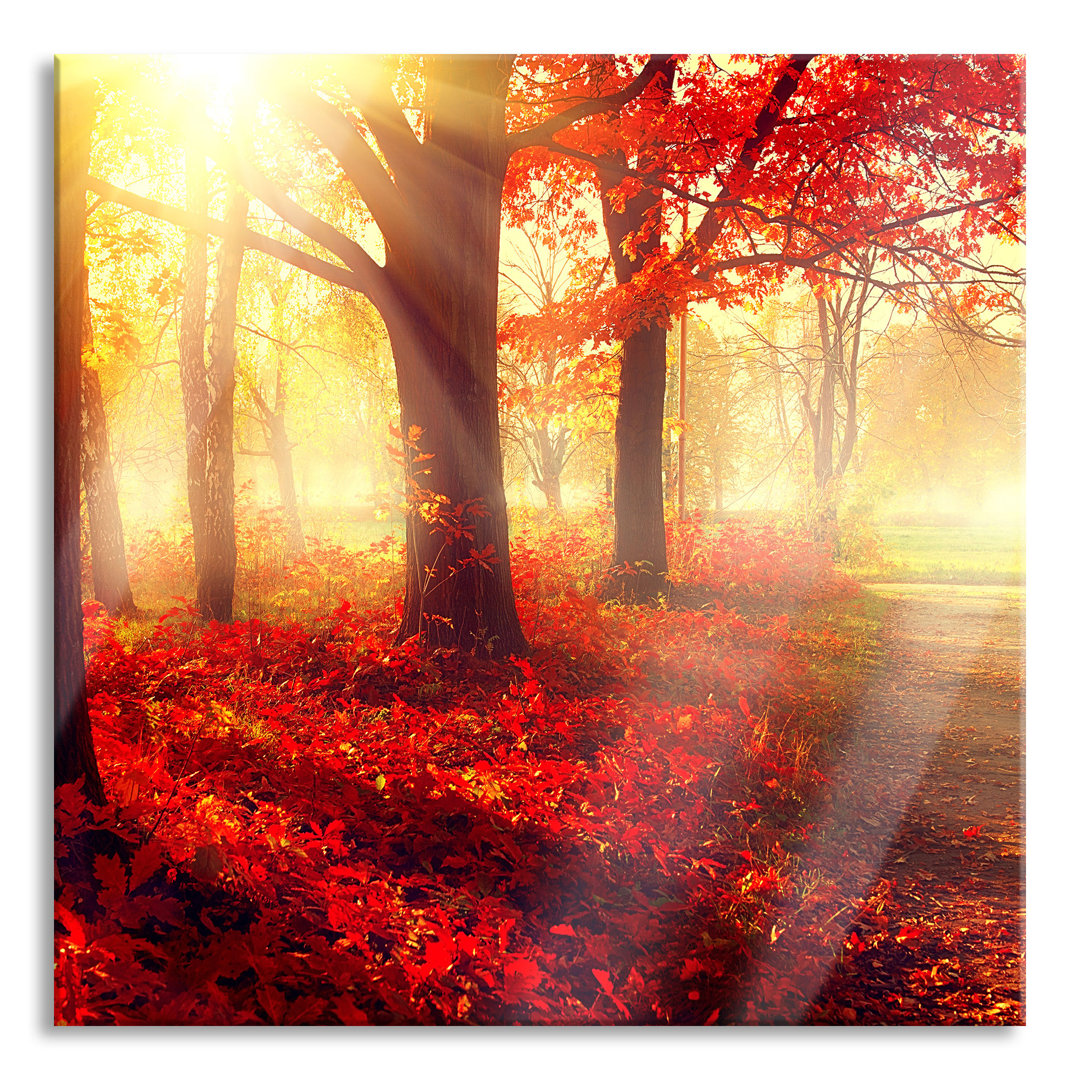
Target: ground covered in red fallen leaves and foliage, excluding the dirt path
310, 827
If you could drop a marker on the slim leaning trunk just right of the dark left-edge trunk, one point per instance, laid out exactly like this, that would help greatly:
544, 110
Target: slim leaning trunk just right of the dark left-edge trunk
109, 562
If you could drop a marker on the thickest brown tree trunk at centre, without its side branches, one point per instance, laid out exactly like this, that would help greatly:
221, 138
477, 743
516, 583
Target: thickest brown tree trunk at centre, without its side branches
443, 331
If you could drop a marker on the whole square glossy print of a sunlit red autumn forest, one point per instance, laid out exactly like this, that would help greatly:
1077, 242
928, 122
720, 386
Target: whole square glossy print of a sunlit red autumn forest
539, 541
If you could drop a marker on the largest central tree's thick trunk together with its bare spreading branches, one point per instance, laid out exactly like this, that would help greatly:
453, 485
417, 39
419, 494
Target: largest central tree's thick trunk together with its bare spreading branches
437, 200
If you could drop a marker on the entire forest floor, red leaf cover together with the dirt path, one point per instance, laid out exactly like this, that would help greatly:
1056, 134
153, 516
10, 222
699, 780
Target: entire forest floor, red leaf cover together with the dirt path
772, 807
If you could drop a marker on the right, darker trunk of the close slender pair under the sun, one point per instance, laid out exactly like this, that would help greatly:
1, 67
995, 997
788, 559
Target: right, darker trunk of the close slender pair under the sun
217, 586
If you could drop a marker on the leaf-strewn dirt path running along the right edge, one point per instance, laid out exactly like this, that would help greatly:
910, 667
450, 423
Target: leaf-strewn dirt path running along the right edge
922, 853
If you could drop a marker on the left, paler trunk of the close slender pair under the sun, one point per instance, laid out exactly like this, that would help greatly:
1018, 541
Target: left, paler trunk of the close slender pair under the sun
193, 348
